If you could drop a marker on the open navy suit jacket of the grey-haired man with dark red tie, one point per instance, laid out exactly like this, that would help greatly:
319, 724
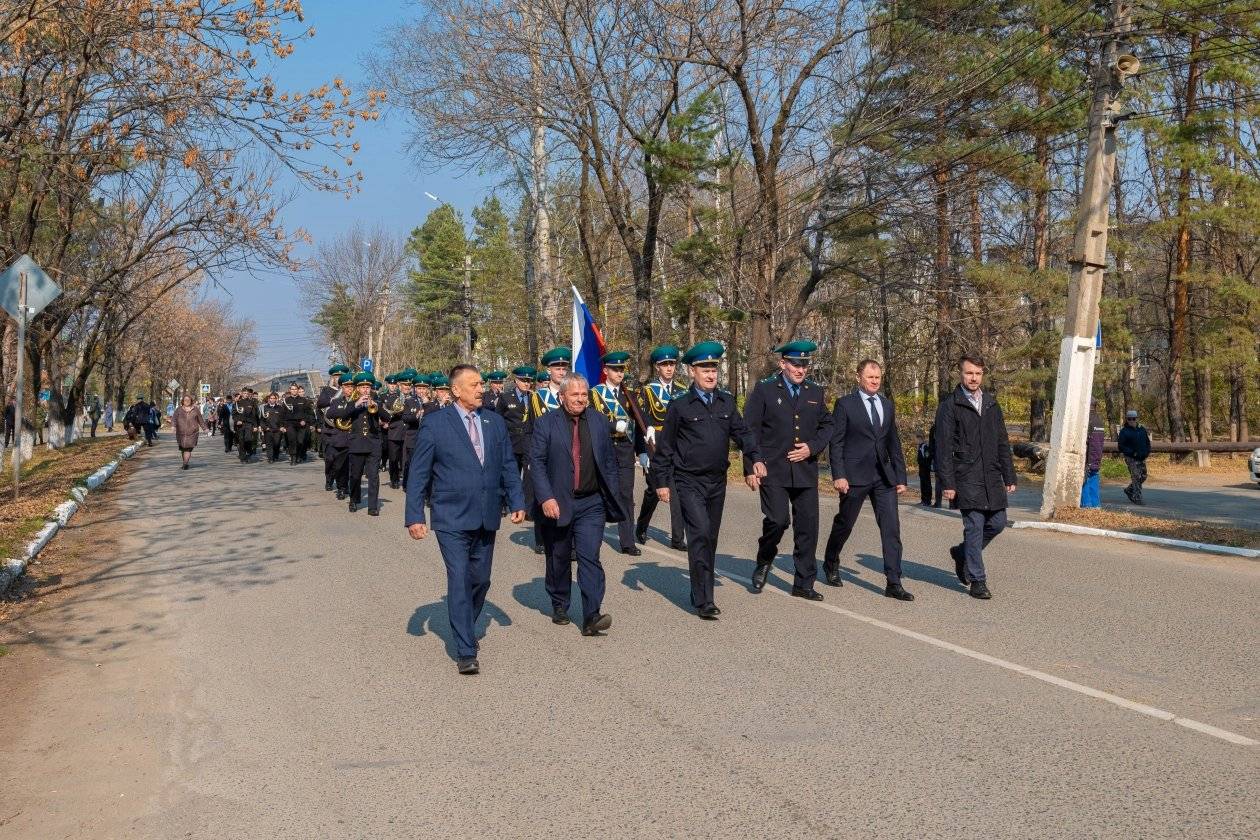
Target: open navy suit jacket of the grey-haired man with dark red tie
551, 464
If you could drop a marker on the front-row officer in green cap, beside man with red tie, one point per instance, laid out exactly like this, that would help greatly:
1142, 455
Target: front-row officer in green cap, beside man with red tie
694, 455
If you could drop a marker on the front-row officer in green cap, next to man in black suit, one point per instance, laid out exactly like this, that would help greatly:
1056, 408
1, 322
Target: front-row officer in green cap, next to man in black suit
789, 416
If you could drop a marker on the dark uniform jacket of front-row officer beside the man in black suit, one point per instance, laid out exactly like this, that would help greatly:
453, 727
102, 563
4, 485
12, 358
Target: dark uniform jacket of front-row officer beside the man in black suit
779, 423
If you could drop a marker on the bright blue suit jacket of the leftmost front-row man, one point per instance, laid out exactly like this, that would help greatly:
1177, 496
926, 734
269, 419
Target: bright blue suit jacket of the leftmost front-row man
464, 493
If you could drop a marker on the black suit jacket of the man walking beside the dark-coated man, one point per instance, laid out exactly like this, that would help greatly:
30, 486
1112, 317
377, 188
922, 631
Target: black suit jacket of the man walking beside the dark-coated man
861, 453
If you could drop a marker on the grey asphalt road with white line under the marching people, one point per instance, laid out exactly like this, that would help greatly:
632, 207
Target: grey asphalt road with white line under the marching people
254, 662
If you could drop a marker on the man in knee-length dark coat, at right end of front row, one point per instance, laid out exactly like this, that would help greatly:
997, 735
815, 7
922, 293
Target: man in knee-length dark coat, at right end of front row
975, 468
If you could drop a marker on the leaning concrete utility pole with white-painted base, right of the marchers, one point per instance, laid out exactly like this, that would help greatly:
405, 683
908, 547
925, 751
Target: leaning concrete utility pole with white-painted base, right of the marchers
1065, 468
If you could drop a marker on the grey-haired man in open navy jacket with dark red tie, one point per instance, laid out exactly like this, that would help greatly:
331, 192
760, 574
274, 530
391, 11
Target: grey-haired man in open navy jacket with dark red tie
576, 480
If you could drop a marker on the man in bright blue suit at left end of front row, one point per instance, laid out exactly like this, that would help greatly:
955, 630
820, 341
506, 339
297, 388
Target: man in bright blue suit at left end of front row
463, 464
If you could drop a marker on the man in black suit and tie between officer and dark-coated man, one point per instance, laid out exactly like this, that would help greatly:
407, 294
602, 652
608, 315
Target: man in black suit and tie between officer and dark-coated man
868, 463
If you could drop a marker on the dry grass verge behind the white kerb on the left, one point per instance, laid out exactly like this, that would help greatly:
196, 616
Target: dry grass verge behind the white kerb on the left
46, 483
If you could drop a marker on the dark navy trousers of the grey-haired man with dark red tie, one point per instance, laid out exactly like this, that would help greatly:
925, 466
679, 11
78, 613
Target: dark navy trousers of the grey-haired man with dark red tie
584, 535
